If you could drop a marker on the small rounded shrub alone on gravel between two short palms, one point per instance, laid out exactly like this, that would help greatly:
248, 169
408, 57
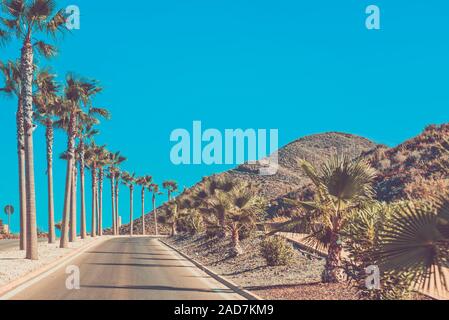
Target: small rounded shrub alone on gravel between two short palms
277, 251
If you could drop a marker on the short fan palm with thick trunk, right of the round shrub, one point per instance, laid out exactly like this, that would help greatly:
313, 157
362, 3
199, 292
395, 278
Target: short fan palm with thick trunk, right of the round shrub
342, 186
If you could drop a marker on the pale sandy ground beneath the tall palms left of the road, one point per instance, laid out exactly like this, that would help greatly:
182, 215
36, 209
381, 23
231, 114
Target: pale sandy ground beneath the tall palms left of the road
13, 265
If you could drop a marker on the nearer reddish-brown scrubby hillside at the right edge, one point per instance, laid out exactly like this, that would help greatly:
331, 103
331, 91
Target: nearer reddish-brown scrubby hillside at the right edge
414, 169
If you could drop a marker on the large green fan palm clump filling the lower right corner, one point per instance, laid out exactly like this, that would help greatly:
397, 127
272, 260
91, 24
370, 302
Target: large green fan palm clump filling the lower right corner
408, 241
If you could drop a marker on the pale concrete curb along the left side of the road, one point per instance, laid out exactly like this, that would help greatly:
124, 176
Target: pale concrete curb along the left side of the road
14, 284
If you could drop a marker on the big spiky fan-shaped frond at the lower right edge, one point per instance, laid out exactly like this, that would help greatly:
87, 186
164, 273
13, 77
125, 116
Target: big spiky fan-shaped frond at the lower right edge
411, 243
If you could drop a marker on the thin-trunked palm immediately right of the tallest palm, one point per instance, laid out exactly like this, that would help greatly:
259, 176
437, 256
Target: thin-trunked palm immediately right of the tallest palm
48, 106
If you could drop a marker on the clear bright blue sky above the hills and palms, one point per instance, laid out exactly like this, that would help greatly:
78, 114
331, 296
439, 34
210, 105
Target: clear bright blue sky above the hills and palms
302, 67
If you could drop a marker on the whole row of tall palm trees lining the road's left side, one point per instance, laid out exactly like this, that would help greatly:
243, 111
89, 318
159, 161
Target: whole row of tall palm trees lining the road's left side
70, 108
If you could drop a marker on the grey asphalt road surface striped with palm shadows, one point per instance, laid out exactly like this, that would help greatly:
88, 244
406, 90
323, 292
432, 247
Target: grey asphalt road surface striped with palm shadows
130, 268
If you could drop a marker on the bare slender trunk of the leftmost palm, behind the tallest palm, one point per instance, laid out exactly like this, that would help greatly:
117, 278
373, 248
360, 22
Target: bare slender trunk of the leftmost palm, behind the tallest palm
22, 179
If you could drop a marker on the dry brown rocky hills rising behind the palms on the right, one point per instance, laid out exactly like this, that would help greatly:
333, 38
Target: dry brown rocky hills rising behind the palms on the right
413, 169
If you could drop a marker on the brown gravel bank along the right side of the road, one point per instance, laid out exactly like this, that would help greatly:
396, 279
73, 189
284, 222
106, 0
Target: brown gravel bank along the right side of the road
298, 281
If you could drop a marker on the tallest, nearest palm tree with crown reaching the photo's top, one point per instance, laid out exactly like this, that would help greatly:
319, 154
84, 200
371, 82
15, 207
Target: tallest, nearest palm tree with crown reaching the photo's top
25, 19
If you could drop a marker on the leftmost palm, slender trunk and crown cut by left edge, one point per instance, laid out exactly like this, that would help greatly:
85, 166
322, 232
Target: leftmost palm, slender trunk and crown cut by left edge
11, 74
